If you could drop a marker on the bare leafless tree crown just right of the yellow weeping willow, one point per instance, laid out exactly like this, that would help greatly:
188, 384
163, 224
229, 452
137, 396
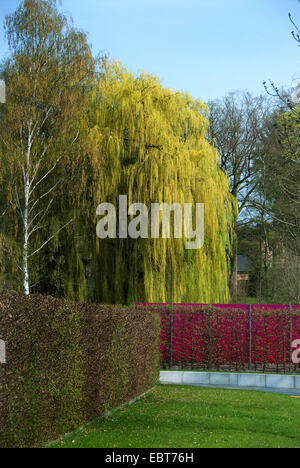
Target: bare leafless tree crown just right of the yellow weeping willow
236, 125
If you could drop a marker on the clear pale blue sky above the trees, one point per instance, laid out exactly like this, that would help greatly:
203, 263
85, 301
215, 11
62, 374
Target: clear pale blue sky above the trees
206, 47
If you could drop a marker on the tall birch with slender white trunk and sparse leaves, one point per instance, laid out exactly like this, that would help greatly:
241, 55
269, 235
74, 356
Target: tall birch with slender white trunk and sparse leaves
46, 77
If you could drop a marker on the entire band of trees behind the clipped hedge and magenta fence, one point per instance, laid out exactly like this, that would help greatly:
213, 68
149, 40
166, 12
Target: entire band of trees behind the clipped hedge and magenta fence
79, 130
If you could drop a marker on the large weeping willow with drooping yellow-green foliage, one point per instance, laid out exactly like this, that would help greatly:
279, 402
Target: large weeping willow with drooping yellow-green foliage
152, 147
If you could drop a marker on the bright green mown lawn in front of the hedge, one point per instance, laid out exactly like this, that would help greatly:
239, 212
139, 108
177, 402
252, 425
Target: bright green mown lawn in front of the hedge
191, 417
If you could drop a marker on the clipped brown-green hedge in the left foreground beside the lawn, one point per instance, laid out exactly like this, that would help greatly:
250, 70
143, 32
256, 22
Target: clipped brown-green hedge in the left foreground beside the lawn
67, 363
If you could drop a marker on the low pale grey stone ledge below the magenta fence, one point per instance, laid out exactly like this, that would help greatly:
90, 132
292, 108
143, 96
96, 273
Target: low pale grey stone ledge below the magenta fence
267, 382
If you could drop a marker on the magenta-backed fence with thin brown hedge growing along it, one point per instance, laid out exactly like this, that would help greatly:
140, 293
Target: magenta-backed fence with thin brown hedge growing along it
228, 337
